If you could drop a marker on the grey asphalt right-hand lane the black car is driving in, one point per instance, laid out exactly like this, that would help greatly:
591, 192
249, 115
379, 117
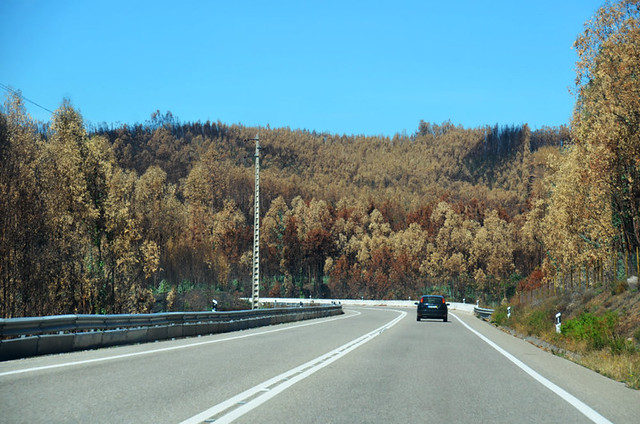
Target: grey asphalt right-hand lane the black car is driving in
420, 372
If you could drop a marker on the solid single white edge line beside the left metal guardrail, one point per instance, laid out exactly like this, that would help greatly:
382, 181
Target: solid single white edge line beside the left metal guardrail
167, 349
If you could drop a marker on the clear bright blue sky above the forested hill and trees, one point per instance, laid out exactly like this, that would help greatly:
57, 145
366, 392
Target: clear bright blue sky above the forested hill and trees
360, 67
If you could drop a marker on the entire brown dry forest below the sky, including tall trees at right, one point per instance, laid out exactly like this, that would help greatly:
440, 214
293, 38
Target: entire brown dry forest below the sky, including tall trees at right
99, 219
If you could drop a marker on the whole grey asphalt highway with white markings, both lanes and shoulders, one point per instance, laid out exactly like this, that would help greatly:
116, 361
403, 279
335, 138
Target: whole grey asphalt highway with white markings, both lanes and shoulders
370, 365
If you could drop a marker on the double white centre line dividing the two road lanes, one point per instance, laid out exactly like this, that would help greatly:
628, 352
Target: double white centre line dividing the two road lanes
285, 380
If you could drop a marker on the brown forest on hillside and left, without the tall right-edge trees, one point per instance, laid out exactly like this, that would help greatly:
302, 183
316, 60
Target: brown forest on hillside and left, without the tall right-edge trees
96, 220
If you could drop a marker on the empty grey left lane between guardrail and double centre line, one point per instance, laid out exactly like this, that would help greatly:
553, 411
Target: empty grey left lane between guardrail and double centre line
166, 381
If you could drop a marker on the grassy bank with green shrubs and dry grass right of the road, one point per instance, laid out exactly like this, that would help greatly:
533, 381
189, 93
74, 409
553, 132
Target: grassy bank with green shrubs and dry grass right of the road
600, 329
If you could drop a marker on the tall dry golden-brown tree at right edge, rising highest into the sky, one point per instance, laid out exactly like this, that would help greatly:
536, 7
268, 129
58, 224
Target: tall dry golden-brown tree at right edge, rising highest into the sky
606, 121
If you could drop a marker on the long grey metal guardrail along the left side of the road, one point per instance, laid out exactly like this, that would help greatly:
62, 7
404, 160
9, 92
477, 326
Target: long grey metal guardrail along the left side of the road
25, 337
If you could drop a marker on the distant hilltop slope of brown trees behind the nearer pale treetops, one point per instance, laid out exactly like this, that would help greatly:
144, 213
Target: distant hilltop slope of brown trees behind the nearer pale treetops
436, 161
